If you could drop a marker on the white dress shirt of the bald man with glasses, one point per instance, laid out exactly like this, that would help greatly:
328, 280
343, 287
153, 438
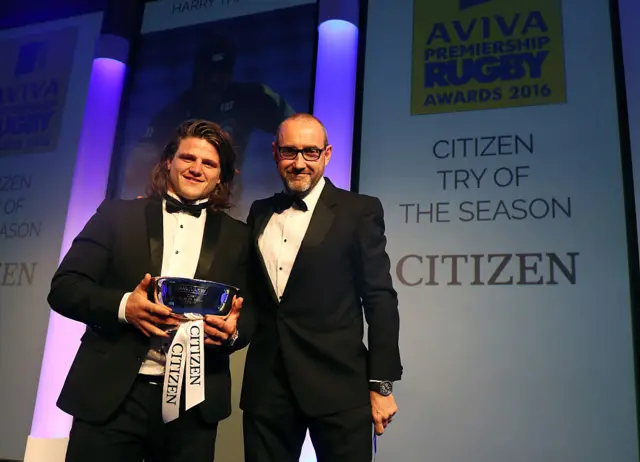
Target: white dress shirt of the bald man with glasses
280, 241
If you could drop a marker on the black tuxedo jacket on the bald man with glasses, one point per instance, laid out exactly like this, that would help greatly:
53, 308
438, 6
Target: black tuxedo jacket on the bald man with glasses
341, 269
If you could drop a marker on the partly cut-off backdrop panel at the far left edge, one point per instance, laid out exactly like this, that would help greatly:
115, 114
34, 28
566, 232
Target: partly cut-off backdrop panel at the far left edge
43, 86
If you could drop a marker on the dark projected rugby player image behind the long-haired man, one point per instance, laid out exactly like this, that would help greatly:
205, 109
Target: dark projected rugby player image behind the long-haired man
239, 107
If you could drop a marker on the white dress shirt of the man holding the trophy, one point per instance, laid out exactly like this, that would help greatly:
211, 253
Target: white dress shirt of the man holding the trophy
182, 241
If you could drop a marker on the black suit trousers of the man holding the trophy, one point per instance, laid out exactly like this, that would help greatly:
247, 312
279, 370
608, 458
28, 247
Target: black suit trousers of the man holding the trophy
136, 432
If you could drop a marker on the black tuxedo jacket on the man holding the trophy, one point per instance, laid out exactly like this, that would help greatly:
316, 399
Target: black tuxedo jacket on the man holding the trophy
119, 244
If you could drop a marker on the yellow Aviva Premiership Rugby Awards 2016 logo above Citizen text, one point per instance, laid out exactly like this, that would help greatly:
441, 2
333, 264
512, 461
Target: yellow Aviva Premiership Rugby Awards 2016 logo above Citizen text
484, 54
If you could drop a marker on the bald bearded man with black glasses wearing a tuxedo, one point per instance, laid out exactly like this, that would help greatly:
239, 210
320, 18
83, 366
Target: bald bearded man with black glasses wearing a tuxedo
321, 265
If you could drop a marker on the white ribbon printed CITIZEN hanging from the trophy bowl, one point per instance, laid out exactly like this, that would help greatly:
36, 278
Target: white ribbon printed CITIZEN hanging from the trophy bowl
185, 365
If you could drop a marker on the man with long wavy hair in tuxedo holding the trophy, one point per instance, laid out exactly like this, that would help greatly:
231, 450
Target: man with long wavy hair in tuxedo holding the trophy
115, 386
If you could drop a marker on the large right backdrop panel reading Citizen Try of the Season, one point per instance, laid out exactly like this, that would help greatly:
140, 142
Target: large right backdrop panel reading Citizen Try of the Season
490, 134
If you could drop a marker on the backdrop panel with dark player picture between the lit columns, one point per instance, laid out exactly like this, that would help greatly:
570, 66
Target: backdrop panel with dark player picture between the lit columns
244, 64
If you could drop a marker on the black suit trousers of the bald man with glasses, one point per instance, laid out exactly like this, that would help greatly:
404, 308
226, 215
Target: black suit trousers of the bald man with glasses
275, 430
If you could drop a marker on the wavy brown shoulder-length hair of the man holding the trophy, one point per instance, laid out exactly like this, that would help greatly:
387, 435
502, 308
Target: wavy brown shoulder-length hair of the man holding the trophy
211, 132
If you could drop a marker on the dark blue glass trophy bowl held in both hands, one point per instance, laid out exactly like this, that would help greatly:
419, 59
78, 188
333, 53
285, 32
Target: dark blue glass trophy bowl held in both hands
192, 296
